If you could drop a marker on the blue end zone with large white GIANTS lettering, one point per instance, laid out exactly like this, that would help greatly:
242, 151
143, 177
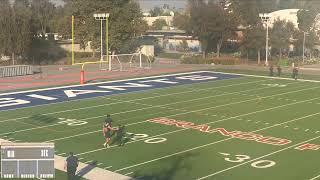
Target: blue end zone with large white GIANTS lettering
15, 100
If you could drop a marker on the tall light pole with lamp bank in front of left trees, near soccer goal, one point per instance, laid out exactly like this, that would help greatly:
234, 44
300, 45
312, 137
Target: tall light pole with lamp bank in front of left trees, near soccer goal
102, 17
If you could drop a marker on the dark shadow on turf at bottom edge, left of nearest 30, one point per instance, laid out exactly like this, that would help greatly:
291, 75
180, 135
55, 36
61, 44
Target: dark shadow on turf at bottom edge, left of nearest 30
169, 168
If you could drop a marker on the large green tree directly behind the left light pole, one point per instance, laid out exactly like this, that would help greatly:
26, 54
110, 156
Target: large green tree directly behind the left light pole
121, 29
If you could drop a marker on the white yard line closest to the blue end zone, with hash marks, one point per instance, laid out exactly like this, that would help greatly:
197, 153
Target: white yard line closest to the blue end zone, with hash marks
151, 97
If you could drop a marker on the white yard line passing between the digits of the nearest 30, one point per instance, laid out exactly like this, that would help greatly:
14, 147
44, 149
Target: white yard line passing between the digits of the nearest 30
275, 152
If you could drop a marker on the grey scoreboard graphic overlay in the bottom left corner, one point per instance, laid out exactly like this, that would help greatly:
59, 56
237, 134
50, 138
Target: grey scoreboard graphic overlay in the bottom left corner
27, 160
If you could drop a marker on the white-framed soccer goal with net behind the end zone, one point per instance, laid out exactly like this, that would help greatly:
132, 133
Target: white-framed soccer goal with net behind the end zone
128, 62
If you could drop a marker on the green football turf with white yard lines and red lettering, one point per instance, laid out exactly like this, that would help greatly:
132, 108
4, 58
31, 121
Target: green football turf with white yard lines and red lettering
228, 128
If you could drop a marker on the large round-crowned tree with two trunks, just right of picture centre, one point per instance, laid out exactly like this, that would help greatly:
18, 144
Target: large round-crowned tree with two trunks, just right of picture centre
211, 24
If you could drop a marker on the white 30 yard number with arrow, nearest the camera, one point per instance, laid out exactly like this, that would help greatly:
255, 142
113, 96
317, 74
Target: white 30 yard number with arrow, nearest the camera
242, 158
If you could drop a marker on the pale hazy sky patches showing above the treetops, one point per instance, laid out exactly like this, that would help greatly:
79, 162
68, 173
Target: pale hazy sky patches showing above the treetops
146, 5
